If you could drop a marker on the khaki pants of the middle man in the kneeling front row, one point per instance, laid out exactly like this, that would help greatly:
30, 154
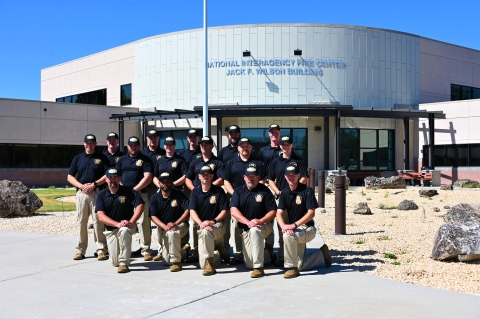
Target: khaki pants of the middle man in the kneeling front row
207, 240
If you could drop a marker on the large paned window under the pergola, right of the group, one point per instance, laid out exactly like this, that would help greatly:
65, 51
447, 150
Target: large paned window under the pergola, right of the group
362, 149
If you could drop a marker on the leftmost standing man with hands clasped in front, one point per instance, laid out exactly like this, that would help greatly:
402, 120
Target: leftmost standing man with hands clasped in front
86, 173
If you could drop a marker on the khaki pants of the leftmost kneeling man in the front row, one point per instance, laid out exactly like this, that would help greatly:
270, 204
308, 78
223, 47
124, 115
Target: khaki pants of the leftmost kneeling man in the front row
120, 245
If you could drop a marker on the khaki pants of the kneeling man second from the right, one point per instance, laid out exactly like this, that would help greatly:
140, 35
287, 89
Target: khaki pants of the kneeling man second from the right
254, 245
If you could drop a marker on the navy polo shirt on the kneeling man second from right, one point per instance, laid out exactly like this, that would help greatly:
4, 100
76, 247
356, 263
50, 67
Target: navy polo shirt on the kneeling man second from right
254, 203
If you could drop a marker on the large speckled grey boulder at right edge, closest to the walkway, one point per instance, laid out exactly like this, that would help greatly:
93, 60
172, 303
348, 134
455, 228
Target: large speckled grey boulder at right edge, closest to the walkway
460, 242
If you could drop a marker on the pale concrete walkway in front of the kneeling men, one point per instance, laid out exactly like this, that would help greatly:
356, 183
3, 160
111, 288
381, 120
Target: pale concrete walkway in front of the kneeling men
39, 279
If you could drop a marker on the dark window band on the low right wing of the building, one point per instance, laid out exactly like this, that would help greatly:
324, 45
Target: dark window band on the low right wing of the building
454, 155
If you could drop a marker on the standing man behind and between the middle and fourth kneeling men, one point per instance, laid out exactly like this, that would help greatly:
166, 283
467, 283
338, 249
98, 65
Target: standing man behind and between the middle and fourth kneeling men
233, 178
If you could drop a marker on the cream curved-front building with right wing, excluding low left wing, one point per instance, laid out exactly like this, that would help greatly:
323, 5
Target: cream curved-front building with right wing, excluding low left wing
359, 98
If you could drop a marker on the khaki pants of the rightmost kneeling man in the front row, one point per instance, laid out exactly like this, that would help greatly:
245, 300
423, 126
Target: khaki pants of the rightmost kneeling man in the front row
295, 247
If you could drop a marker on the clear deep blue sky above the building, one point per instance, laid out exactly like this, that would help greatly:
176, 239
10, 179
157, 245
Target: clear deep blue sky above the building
36, 34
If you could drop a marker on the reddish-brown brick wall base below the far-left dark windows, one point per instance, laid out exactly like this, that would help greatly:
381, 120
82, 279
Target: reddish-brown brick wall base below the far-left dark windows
36, 177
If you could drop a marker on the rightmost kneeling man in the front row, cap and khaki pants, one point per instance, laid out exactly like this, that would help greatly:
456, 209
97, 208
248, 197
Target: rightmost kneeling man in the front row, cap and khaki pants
300, 203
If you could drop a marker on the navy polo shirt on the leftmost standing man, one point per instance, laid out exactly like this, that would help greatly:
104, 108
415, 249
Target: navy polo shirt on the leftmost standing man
88, 167
